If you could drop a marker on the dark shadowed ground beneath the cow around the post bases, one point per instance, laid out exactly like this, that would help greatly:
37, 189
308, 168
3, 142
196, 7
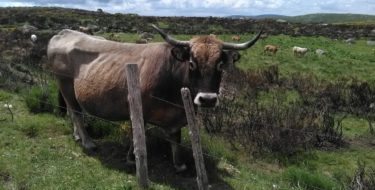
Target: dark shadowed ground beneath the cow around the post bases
113, 155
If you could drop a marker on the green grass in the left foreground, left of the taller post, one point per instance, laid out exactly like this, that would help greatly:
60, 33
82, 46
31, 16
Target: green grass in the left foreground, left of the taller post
38, 152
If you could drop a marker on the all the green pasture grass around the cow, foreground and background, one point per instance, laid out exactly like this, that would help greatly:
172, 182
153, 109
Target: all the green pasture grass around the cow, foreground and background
37, 151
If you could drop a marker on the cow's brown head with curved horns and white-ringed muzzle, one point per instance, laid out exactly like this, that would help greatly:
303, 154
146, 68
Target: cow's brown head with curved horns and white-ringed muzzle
207, 56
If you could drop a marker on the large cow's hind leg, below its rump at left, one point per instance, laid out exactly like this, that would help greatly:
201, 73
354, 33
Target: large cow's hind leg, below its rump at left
79, 132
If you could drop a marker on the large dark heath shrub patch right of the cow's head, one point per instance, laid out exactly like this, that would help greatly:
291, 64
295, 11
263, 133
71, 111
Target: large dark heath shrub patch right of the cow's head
269, 118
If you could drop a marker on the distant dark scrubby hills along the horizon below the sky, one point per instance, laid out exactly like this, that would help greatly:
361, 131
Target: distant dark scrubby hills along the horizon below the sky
54, 18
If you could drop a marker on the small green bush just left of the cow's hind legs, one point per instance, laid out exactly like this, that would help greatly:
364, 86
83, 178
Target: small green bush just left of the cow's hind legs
42, 99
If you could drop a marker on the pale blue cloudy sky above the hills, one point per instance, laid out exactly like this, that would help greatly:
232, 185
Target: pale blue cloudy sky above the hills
208, 7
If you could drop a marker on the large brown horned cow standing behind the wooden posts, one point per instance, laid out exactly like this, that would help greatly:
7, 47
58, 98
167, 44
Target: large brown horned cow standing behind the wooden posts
91, 76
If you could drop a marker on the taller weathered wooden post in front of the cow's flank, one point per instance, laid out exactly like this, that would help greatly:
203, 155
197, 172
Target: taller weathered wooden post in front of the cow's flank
136, 115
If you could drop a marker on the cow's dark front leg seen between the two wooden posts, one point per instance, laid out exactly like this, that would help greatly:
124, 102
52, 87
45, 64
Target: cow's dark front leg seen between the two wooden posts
176, 151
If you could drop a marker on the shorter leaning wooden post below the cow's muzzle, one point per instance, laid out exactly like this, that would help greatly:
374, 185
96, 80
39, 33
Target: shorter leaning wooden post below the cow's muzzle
202, 179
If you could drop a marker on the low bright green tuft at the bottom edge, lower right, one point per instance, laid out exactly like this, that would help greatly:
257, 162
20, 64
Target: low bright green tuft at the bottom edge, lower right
308, 179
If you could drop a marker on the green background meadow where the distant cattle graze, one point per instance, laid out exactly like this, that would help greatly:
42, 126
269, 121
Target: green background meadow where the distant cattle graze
341, 60
